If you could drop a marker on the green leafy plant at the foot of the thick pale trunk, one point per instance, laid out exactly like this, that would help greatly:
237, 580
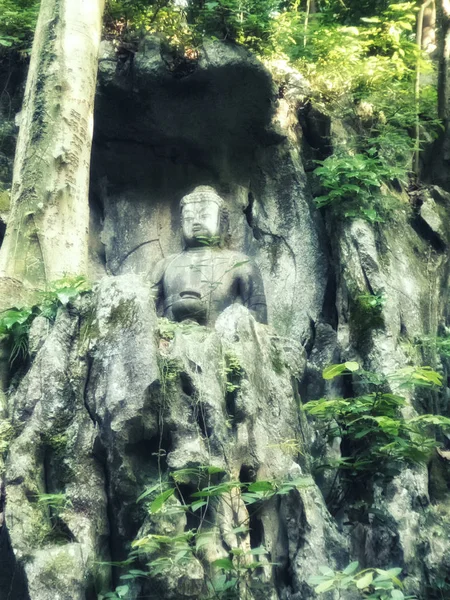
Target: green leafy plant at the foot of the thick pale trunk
15, 322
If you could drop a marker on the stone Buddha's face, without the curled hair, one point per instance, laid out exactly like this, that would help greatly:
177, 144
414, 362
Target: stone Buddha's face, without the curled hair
201, 222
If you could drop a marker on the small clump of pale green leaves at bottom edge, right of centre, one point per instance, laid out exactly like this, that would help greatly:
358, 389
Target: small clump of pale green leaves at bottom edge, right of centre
376, 584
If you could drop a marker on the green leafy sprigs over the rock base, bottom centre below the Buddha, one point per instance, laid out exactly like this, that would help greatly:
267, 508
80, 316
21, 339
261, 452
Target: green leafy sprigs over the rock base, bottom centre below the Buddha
233, 576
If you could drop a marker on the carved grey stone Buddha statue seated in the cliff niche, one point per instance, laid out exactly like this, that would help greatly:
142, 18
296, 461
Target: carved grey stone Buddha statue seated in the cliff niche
206, 277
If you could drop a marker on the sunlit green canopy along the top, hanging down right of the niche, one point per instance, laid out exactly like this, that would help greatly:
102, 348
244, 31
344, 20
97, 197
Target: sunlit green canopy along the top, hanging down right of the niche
360, 58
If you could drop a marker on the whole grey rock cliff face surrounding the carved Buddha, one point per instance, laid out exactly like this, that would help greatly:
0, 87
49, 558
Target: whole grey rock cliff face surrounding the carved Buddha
116, 401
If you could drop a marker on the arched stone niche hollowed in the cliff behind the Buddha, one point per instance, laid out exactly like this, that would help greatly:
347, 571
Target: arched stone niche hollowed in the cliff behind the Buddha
163, 127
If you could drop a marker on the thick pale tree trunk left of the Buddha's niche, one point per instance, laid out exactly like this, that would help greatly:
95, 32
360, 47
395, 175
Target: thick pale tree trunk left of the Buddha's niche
47, 233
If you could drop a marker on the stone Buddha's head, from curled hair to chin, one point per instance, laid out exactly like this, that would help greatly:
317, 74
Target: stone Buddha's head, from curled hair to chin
204, 217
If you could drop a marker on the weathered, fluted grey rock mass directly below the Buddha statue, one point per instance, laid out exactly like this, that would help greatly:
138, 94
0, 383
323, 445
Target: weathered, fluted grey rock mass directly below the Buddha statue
109, 408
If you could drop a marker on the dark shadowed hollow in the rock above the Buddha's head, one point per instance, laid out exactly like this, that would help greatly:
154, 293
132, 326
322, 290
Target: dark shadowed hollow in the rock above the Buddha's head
162, 134
